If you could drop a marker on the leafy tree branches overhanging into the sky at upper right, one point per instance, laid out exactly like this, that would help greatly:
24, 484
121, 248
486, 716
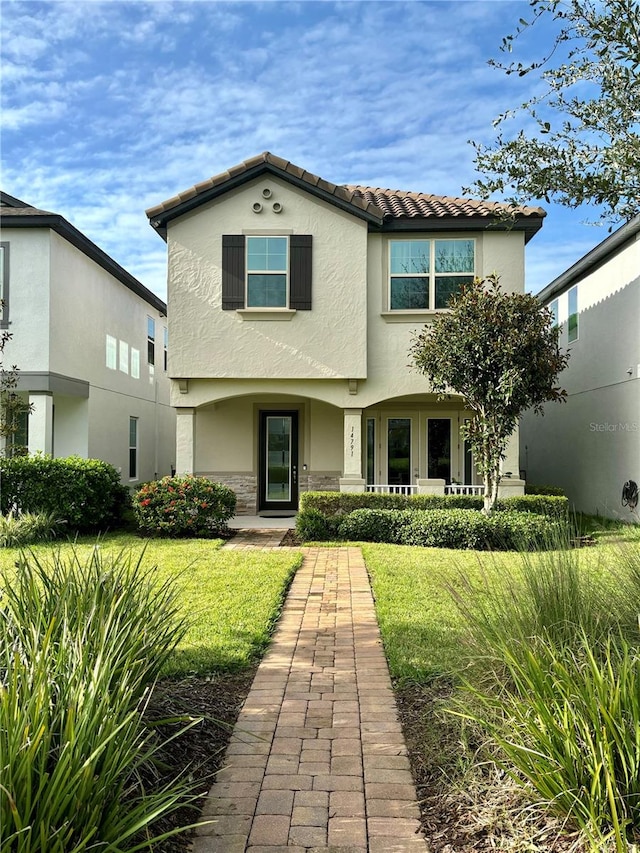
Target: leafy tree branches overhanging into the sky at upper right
584, 143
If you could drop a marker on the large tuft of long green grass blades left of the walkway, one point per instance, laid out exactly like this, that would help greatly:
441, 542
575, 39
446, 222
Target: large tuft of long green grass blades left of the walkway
80, 646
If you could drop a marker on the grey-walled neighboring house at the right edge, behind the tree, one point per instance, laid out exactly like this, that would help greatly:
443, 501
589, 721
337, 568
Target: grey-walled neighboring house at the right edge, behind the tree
590, 446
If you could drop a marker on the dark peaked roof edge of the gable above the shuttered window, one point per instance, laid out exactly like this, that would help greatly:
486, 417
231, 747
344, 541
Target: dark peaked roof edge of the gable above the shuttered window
160, 220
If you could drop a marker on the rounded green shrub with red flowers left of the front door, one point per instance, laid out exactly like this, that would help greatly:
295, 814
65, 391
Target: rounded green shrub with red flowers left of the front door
184, 506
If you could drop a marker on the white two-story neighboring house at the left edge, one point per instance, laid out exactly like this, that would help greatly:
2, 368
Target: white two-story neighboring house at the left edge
90, 342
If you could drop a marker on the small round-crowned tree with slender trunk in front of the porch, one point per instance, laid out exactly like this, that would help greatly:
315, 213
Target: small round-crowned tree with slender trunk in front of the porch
500, 352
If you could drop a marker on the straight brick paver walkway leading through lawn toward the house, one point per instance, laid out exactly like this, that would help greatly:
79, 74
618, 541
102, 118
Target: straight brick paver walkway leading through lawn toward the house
317, 760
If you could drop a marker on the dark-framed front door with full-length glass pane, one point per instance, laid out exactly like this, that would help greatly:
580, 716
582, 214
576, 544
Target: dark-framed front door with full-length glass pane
278, 481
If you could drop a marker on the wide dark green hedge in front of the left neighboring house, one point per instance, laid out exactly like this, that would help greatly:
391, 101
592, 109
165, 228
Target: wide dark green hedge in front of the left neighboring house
86, 493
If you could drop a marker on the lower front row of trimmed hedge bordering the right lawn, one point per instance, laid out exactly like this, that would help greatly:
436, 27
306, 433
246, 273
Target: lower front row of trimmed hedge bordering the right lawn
453, 528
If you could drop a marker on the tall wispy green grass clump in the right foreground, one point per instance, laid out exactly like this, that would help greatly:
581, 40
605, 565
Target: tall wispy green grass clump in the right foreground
557, 686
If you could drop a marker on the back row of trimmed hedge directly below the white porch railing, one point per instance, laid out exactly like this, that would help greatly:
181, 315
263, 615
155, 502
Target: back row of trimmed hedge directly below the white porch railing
339, 503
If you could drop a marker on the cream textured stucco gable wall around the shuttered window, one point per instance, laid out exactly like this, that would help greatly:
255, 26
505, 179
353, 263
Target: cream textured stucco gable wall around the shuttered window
327, 342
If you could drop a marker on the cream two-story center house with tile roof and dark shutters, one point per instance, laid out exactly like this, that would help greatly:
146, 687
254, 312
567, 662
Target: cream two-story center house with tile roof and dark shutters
292, 302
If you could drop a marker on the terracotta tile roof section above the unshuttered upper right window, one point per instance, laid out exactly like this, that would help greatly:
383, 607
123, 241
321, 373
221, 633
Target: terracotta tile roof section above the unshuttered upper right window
401, 203
